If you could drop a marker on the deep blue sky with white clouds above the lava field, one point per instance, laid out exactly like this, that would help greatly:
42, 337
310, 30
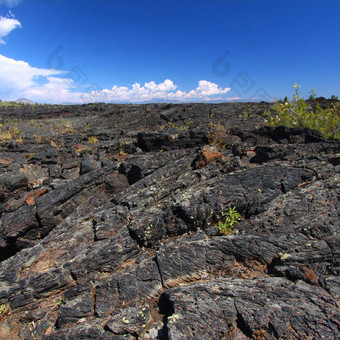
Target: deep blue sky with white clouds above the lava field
61, 51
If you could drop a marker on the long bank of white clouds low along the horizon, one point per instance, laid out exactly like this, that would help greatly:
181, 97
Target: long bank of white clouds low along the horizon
19, 79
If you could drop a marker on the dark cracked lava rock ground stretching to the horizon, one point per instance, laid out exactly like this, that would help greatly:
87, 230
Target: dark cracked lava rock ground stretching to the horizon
108, 224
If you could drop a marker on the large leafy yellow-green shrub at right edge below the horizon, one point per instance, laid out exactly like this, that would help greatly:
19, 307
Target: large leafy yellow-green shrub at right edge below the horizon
298, 113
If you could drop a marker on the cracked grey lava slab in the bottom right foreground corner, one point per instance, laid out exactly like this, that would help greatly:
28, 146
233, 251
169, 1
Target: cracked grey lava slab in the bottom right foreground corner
270, 308
